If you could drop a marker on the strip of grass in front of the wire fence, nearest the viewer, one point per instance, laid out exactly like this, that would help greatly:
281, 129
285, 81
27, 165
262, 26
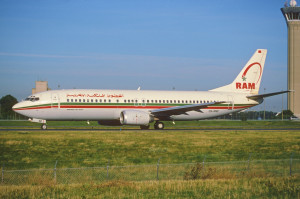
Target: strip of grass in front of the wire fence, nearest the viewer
232, 188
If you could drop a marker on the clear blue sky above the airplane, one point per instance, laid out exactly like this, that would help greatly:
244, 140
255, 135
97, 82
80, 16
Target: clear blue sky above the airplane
155, 45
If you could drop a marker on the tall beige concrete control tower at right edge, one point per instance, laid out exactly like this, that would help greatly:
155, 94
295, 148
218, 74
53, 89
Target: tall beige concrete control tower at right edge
291, 12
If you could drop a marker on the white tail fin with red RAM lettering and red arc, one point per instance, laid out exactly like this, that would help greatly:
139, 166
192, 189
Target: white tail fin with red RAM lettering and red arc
248, 81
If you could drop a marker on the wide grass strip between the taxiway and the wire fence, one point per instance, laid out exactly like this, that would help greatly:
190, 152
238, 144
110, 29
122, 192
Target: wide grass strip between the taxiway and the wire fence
40, 149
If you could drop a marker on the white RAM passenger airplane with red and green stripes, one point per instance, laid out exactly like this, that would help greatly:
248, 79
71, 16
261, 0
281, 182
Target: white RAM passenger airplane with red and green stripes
142, 107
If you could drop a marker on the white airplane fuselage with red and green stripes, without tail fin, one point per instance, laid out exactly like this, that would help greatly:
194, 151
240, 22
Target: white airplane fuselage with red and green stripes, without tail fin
88, 104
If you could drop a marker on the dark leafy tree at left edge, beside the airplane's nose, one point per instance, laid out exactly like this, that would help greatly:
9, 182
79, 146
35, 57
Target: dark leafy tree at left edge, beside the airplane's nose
7, 103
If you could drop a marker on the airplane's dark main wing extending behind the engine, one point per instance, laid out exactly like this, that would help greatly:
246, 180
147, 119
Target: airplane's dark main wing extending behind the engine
178, 110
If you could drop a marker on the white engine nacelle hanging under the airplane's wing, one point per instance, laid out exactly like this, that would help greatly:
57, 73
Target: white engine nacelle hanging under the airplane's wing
132, 117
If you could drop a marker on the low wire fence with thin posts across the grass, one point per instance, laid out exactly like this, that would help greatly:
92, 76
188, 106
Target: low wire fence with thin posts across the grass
185, 171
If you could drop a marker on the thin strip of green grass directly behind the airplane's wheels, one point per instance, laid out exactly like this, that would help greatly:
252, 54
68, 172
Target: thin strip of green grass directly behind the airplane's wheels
202, 124
